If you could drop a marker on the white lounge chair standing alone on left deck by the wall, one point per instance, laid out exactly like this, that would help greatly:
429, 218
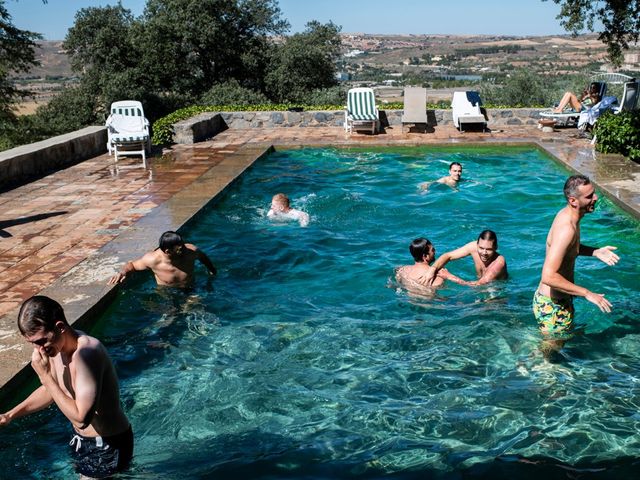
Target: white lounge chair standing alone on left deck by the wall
128, 130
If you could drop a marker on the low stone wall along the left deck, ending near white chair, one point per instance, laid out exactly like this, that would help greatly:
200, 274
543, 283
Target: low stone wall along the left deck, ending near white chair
24, 163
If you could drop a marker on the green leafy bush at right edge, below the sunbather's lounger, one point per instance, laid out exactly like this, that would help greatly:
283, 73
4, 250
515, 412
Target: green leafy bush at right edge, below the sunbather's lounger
619, 133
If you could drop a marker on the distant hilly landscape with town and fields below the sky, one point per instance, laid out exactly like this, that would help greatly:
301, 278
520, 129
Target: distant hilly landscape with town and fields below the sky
439, 61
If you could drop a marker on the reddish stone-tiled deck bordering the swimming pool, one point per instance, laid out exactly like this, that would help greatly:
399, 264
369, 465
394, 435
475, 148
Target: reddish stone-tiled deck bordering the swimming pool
65, 234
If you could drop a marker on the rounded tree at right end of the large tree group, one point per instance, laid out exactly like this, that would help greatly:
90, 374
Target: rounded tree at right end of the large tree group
304, 62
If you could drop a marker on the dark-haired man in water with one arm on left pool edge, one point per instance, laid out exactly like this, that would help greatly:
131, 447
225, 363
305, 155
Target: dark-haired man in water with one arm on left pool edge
172, 263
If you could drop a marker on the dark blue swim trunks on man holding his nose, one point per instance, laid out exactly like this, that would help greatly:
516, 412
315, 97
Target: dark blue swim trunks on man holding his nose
99, 457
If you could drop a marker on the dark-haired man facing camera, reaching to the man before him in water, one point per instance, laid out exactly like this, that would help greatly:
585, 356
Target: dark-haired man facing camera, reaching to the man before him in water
490, 265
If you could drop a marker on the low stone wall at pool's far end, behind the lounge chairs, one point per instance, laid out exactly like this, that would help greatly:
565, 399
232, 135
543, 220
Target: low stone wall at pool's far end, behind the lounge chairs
207, 125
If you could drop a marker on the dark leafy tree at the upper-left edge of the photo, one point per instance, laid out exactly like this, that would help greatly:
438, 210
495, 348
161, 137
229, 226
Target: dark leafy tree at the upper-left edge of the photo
17, 54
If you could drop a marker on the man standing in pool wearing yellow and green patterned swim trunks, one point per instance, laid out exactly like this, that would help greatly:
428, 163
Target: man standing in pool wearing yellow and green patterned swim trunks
553, 300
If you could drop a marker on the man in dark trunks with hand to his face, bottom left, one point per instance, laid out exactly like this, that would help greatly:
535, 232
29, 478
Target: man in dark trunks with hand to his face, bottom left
77, 374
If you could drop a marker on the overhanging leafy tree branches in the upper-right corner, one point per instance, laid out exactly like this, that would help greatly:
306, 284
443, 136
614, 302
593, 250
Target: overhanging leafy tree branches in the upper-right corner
620, 20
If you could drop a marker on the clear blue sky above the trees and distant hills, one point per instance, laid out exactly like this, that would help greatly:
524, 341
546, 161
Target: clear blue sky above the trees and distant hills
494, 17
